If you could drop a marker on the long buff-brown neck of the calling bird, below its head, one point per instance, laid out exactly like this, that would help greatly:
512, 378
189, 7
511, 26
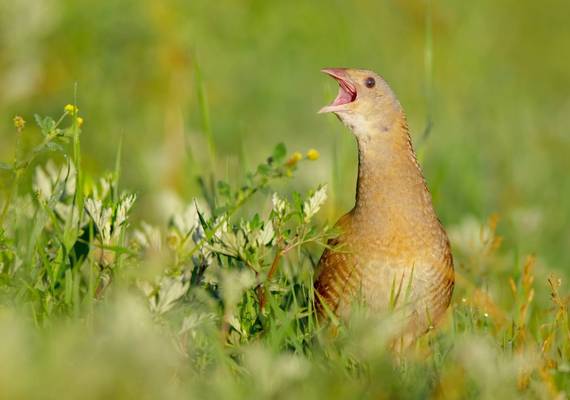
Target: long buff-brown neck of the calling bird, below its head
391, 190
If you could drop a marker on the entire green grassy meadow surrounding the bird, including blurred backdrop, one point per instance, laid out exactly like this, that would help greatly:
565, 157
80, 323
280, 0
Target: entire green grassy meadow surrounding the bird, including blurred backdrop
166, 189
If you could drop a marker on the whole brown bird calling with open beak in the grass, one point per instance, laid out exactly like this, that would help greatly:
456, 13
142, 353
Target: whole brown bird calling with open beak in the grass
392, 252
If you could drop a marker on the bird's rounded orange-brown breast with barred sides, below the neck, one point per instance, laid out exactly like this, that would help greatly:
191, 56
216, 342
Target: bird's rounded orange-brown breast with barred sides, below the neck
387, 270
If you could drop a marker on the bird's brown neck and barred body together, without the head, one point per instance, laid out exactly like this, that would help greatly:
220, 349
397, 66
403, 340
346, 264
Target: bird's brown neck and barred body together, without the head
393, 251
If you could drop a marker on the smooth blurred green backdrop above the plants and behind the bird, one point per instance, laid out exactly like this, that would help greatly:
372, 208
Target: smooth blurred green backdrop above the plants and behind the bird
498, 95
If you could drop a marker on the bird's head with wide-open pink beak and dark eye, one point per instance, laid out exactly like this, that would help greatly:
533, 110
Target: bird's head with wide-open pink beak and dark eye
365, 103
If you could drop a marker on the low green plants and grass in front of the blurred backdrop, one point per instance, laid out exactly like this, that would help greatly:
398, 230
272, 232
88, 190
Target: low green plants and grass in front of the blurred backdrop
219, 303
